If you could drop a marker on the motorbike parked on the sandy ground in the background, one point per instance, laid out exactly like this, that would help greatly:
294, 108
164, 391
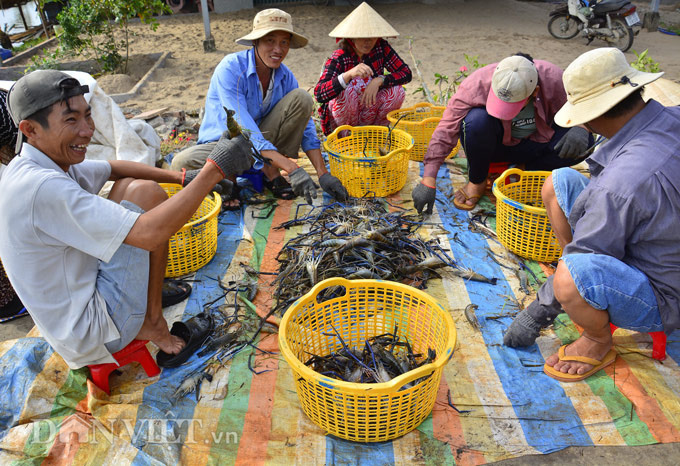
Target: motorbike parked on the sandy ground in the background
609, 20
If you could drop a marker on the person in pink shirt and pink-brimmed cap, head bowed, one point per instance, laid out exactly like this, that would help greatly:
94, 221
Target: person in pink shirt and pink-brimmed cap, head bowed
503, 112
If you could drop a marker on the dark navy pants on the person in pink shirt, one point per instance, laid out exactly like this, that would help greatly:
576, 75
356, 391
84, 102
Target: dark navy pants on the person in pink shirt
482, 138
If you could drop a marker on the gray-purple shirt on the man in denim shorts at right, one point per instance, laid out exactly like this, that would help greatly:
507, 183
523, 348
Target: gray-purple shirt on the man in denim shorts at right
631, 206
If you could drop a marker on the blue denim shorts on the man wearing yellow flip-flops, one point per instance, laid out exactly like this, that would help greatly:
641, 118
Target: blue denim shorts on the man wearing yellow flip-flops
603, 281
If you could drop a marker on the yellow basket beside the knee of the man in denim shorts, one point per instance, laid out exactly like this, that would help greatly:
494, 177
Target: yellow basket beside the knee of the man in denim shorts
521, 220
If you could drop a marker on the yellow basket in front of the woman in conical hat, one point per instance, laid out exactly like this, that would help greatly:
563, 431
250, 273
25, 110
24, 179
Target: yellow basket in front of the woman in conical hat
356, 161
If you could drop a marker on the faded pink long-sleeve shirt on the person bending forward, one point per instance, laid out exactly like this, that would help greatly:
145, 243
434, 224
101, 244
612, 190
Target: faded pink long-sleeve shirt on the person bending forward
473, 93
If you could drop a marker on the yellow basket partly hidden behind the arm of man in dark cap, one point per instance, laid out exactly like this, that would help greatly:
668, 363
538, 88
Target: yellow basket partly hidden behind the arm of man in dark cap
196, 242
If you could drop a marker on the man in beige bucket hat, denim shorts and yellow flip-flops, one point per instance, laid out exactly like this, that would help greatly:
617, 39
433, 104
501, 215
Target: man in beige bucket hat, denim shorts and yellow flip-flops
618, 229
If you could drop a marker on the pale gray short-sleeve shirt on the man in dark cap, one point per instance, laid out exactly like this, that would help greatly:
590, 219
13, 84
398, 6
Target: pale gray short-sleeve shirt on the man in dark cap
55, 230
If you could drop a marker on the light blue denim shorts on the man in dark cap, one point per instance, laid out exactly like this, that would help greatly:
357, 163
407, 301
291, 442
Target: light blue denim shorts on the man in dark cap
123, 282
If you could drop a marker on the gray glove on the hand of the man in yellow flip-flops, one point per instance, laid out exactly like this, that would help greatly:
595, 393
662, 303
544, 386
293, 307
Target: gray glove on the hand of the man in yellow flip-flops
541, 313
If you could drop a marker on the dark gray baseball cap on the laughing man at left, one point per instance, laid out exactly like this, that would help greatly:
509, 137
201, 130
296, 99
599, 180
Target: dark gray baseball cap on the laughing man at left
37, 90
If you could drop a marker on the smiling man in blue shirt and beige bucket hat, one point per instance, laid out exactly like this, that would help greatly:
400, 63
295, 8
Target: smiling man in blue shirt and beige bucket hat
270, 108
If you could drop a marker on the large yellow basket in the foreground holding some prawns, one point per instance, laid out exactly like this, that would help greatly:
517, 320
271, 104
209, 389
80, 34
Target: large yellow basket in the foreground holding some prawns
358, 310
